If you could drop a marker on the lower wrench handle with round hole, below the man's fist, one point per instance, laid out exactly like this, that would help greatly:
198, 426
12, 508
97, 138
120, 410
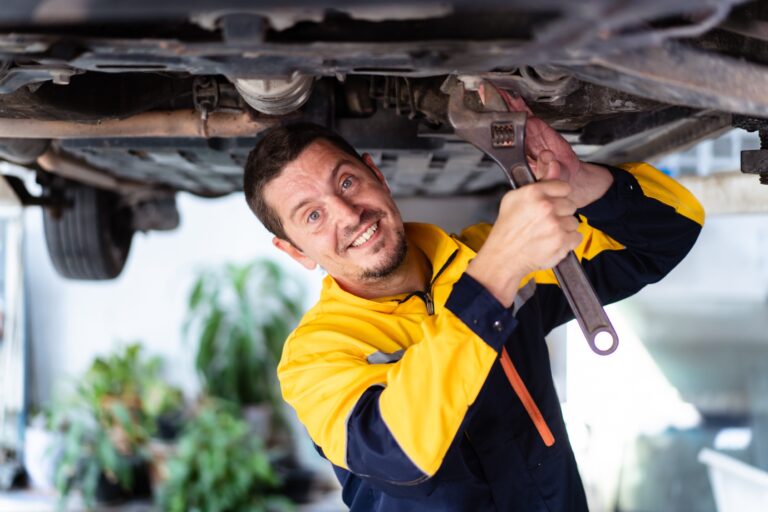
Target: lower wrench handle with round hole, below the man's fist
585, 304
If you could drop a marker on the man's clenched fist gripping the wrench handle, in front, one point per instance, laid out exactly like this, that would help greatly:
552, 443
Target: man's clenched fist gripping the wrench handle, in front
535, 229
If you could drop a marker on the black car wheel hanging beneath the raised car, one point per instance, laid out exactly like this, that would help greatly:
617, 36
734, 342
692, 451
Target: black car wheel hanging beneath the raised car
91, 237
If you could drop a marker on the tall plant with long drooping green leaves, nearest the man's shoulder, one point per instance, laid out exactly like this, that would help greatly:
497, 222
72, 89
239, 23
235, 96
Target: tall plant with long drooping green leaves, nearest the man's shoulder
240, 316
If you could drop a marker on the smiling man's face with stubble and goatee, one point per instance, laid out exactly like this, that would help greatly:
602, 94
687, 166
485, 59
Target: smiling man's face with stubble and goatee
338, 213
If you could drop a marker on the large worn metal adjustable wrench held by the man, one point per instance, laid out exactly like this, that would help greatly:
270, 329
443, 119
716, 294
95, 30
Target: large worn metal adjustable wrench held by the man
501, 135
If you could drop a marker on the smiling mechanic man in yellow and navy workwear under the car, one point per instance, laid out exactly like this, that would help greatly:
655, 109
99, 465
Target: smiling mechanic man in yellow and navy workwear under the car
422, 374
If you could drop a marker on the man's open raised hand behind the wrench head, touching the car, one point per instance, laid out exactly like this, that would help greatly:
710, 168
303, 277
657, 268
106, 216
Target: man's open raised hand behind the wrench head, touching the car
551, 157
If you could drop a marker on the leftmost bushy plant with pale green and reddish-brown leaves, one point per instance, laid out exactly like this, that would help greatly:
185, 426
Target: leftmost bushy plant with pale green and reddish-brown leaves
107, 427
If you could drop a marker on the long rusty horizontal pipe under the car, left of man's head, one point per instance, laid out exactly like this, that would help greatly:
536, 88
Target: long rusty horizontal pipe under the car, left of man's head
178, 123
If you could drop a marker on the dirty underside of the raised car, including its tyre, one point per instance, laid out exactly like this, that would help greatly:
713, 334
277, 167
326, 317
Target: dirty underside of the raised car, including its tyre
118, 106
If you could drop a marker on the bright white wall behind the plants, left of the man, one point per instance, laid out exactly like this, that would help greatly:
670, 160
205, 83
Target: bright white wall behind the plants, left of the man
72, 321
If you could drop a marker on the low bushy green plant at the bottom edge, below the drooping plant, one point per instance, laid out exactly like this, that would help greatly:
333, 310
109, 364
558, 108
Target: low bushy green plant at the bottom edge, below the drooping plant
219, 466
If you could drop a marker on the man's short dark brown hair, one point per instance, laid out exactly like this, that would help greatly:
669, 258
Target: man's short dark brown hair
277, 148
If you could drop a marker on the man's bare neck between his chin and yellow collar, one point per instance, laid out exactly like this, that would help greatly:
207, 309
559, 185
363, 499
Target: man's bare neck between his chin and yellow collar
413, 275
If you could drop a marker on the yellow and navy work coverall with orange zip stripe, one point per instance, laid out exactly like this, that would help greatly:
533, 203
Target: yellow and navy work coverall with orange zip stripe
408, 397
